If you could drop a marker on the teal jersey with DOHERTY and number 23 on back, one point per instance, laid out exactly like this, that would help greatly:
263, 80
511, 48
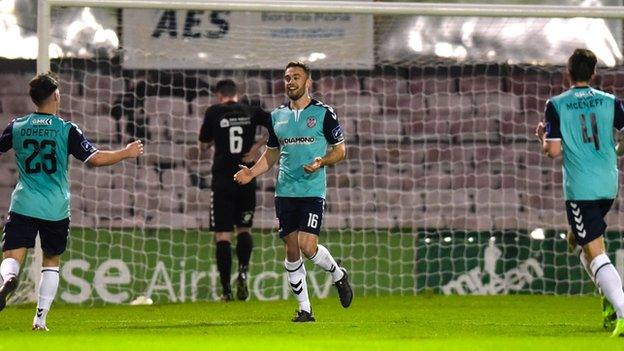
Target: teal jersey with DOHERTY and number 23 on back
42, 145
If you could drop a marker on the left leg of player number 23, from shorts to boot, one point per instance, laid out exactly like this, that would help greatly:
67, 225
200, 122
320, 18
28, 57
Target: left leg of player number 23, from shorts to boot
19, 235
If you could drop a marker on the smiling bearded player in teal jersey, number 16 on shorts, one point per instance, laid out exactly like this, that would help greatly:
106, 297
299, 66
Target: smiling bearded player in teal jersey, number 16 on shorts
300, 134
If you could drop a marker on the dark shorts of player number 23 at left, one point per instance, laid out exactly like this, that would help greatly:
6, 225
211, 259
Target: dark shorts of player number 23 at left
21, 231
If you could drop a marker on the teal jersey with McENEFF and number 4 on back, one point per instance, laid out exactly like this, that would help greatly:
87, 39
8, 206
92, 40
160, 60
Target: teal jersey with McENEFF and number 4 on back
583, 119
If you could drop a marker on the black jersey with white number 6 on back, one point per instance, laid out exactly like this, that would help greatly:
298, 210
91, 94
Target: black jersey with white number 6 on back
232, 126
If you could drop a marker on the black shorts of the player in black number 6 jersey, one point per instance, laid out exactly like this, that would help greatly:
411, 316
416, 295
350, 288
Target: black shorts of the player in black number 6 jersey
231, 205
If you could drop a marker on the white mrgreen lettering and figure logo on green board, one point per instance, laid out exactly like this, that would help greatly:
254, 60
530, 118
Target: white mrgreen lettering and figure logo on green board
487, 281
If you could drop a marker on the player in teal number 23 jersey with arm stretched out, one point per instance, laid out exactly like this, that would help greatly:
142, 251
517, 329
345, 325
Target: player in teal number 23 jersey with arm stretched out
42, 142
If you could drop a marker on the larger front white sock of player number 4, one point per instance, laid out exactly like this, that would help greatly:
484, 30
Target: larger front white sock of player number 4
609, 281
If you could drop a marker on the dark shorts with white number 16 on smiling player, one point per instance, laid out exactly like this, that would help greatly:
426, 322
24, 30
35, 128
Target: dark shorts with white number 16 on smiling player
299, 214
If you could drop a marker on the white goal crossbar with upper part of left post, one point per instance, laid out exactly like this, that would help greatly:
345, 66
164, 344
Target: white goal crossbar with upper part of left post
353, 7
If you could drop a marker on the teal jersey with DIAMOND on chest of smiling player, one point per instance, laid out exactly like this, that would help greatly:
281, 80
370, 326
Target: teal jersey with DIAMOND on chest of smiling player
303, 135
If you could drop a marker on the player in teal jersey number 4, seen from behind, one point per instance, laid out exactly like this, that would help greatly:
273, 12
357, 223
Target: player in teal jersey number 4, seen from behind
579, 125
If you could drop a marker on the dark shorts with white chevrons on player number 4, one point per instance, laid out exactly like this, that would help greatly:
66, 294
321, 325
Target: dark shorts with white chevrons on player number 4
586, 219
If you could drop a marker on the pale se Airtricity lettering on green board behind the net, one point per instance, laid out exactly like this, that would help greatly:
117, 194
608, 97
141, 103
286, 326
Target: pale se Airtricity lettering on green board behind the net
178, 284
